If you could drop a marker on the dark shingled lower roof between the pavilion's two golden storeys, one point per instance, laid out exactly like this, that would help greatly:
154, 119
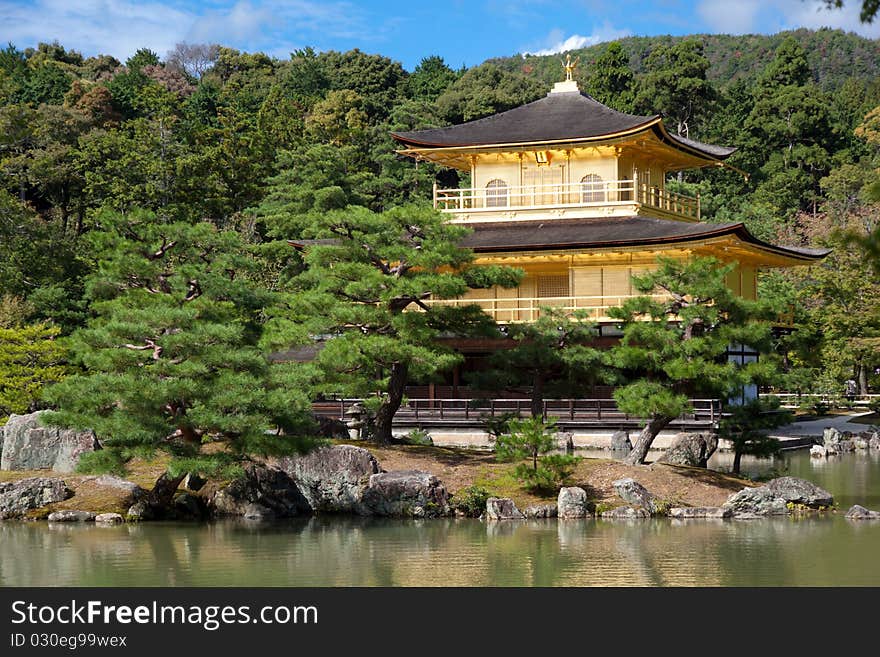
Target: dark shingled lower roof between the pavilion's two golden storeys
609, 232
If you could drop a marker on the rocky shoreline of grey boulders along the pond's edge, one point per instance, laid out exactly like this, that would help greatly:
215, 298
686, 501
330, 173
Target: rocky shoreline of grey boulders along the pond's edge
348, 479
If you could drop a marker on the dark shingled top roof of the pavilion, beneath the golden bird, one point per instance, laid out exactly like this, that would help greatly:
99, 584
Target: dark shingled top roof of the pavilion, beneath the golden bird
556, 117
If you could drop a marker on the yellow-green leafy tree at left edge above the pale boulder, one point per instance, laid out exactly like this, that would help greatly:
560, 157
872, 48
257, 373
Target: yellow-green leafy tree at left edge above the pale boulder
31, 358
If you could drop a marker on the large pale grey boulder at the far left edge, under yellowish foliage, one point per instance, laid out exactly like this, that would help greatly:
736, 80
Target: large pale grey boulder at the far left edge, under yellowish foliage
28, 445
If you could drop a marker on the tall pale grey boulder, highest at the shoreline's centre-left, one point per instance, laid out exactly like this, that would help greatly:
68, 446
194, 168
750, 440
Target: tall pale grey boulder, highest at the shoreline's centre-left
333, 479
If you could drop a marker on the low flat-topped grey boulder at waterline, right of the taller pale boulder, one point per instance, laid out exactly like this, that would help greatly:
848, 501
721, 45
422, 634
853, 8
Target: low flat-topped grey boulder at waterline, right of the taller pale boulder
406, 493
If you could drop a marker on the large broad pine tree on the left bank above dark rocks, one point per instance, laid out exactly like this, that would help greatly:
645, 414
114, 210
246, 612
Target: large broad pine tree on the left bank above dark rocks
175, 355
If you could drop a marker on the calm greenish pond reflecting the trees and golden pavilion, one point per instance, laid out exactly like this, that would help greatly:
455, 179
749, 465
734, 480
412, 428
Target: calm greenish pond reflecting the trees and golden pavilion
814, 551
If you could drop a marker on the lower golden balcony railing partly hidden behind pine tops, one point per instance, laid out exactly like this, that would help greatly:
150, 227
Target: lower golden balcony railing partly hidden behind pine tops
528, 309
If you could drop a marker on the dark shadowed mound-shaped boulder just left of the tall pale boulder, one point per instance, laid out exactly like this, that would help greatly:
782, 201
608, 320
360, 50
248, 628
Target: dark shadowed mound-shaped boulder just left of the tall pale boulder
269, 491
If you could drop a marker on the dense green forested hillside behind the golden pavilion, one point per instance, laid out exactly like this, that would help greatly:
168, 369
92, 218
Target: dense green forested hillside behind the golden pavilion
257, 146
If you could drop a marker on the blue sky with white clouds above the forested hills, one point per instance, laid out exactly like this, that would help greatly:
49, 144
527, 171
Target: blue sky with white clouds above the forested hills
463, 32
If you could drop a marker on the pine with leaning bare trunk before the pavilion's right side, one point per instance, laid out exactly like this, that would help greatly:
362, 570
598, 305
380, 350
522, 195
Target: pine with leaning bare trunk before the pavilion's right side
675, 348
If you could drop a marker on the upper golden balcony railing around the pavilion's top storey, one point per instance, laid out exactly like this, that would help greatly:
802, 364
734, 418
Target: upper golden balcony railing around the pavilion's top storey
600, 195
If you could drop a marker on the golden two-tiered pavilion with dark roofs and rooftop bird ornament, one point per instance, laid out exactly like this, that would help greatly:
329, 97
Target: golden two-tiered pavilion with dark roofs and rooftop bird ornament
574, 193
